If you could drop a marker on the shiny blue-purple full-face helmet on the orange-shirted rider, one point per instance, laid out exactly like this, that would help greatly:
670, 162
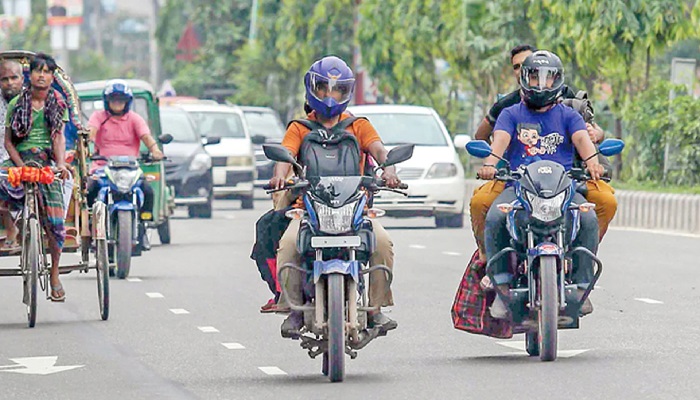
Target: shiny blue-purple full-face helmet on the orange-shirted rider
329, 86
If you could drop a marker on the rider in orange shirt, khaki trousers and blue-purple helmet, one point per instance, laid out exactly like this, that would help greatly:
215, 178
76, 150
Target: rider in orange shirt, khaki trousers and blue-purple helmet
329, 87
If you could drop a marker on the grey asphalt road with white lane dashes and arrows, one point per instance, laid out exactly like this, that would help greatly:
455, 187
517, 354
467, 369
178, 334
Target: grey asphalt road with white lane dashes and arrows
642, 341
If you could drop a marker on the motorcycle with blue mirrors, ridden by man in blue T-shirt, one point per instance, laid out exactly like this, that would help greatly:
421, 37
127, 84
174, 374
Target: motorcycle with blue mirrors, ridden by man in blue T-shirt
543, 223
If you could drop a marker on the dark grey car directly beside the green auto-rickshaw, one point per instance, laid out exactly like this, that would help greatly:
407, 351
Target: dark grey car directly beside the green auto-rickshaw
189, 167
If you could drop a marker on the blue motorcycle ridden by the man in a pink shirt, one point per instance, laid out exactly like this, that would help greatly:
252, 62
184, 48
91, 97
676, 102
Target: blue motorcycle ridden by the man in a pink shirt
120, 190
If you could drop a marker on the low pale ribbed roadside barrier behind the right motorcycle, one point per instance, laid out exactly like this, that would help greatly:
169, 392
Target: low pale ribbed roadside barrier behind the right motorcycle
646, 210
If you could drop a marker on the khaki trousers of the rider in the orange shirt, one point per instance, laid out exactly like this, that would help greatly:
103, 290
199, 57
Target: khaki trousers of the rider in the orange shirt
292, 280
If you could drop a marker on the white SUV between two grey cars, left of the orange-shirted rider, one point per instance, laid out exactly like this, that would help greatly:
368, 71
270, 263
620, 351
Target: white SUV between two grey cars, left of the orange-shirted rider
233, 159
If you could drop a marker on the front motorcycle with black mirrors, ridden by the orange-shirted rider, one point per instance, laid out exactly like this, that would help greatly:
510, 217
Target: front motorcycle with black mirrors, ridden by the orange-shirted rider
336, 241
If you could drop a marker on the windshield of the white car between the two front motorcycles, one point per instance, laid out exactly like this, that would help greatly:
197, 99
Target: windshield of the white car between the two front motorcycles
418, 129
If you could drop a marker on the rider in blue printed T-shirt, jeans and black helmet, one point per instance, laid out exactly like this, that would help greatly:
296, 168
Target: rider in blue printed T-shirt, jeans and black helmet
539, 128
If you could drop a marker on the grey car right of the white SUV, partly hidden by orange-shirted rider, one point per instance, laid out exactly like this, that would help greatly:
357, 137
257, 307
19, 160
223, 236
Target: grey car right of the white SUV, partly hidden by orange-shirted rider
265, 127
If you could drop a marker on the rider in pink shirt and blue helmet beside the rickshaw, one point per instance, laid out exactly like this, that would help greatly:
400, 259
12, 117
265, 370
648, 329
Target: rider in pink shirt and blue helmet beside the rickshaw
119, 131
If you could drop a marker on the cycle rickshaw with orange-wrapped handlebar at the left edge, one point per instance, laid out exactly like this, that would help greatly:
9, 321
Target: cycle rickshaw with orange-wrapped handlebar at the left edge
85, 229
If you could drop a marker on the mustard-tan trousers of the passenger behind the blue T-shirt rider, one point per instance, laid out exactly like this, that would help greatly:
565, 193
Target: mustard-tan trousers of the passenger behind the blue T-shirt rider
599, 192
